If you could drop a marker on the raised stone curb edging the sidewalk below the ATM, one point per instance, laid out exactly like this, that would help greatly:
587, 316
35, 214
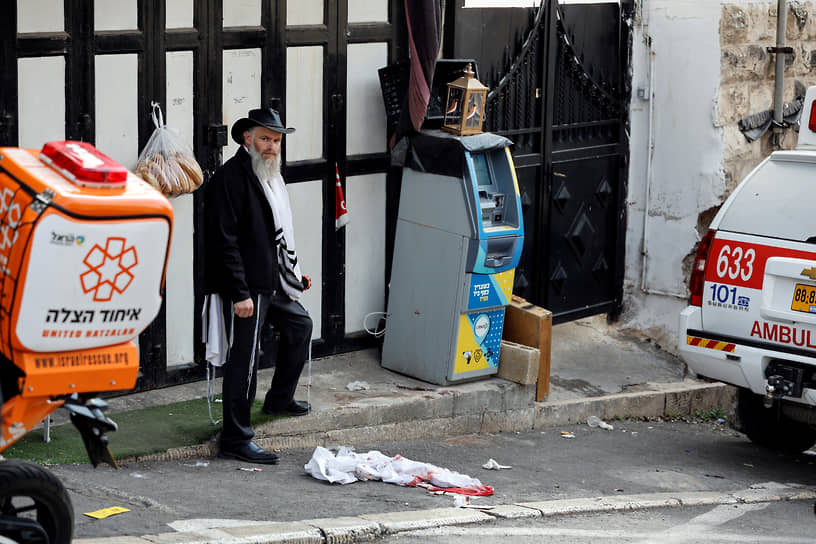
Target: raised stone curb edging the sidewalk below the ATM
501, 414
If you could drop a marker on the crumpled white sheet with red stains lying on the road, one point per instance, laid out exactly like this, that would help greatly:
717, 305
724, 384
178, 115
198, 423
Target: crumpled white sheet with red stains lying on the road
348, 466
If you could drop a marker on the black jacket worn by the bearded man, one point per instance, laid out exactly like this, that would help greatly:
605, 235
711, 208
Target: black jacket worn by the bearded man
240, 251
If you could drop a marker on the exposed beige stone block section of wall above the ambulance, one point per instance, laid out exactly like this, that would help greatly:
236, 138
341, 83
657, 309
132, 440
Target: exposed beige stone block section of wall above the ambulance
747, 75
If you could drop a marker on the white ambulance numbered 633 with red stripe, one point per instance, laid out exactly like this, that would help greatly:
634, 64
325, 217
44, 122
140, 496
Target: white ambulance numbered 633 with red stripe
751, 321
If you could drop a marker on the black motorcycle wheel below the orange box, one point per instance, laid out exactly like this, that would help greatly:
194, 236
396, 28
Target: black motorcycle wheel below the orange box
34, 505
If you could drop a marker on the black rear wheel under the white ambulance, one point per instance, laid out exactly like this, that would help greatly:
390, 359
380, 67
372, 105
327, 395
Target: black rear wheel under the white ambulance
769, 428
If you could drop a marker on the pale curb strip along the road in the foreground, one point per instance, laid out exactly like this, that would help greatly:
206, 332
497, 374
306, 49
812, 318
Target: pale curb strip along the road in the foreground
368, 527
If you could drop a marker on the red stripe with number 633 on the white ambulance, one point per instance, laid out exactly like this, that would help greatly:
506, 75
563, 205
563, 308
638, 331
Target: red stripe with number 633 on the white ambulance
743, 264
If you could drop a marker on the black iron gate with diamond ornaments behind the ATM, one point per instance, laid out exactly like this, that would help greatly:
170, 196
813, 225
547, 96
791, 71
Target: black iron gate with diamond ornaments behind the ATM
561, 96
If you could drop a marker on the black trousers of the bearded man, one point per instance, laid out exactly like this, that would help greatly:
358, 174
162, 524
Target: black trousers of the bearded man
240, 372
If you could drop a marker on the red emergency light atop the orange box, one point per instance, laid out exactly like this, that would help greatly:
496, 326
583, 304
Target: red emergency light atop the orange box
84, 165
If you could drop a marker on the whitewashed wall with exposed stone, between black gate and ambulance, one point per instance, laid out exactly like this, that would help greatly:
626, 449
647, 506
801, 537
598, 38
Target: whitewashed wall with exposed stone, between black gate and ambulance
698, 67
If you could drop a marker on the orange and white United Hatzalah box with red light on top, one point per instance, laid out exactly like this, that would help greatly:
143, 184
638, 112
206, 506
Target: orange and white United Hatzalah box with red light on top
83, 251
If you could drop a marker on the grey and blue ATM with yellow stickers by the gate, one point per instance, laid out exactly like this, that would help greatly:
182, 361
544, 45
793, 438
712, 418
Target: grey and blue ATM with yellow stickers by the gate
459, 238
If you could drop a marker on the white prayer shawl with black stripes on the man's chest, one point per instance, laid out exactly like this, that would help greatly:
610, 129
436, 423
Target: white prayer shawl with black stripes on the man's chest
290, 276
